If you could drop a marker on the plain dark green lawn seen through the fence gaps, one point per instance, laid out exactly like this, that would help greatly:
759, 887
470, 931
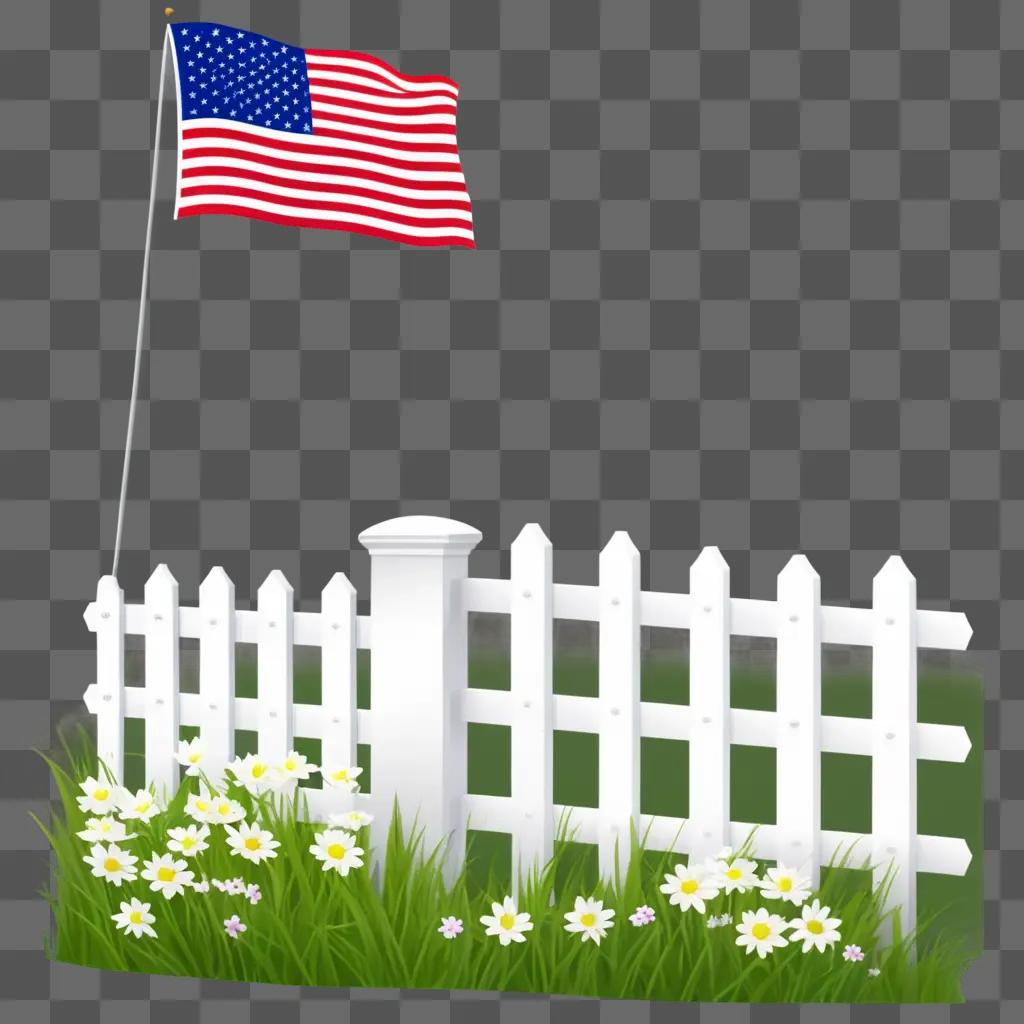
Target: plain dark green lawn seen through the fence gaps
950, 795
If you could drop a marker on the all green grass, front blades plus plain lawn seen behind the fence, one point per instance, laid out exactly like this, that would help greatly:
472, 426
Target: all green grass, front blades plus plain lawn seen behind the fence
311, 929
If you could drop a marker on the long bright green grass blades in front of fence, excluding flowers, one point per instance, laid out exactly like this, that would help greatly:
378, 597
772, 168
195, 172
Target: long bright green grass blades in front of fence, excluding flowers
316, 928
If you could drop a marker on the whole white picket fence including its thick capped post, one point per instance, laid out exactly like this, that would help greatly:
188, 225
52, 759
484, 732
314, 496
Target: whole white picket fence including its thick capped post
421, 596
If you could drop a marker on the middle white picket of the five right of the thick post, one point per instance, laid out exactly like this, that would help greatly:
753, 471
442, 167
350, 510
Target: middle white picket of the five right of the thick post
710, 628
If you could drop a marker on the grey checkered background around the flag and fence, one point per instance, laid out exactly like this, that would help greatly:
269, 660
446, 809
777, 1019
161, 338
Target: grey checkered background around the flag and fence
750, 274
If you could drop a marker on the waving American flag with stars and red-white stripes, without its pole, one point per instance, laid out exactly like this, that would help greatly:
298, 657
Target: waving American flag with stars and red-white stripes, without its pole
316, 139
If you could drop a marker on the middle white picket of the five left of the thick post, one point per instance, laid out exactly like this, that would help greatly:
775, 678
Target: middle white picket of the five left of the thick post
217, 670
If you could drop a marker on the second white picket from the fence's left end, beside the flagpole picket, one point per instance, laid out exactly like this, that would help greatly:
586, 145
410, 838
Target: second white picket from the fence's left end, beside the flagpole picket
162, 647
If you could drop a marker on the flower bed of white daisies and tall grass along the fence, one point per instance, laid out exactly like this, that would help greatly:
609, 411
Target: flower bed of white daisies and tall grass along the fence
227, 882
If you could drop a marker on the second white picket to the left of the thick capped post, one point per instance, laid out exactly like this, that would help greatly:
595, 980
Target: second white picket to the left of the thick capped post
275, 665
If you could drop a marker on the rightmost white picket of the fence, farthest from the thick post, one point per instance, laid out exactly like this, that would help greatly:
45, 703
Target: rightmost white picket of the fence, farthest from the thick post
894, 710
